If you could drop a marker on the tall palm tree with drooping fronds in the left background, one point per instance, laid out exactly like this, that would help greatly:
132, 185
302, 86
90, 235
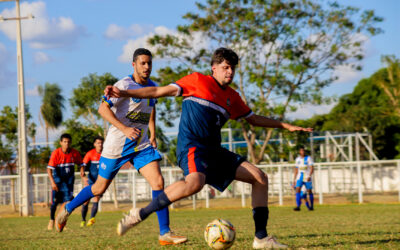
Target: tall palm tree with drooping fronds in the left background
52, 105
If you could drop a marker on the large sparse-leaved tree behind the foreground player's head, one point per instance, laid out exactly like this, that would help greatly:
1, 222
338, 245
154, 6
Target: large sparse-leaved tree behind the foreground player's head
288, 51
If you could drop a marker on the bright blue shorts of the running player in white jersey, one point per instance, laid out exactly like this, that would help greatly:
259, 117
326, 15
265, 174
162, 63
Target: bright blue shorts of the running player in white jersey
109, 167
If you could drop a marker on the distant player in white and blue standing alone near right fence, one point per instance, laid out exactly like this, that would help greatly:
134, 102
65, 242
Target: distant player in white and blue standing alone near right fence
302, 176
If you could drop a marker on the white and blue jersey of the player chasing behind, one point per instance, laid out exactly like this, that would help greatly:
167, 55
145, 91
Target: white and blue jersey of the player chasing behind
132, 112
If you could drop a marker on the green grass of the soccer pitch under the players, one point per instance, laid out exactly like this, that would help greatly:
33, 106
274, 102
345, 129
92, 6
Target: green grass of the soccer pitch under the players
372, 226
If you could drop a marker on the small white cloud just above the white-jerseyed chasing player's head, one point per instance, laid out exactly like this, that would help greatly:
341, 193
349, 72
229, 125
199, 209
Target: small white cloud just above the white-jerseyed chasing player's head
115, 32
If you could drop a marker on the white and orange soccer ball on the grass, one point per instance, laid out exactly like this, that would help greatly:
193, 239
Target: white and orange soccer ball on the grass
220, 234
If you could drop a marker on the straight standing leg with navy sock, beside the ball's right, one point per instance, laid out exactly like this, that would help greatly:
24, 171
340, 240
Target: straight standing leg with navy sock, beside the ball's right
249, 173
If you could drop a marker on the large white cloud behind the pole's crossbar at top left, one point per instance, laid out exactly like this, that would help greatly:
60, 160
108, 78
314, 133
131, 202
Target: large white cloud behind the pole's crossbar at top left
42, 32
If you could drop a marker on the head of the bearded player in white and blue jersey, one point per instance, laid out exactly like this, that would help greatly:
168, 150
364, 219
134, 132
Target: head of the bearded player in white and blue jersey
142, 63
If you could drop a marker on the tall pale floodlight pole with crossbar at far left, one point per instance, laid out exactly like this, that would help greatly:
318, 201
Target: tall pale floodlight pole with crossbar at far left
25, 202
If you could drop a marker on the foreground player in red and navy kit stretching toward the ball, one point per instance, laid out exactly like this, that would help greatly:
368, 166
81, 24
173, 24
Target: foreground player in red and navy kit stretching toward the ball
209, 102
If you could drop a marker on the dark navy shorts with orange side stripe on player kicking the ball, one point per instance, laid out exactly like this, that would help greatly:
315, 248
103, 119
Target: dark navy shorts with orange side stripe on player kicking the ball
218, 164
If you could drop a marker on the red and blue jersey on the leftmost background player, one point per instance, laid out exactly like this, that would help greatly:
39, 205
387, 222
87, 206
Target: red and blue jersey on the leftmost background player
62, 164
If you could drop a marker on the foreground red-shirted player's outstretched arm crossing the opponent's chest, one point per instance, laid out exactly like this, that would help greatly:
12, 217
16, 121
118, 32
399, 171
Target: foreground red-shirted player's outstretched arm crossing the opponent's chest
143, 93
